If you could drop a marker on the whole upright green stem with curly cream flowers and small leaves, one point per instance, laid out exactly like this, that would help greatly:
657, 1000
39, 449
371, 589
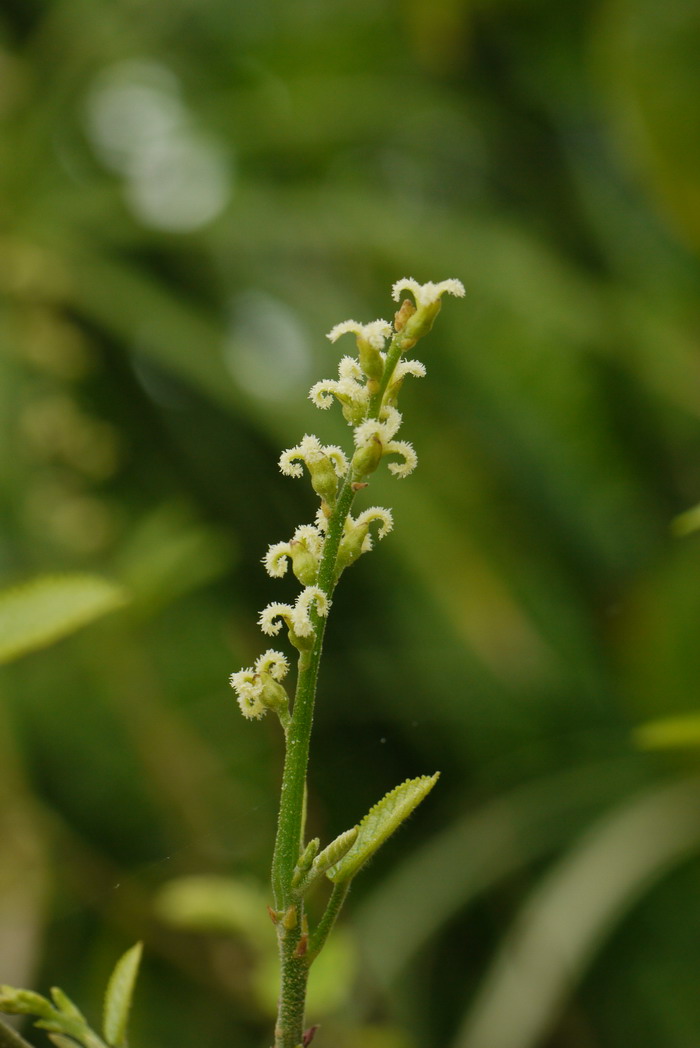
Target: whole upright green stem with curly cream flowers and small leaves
367, 390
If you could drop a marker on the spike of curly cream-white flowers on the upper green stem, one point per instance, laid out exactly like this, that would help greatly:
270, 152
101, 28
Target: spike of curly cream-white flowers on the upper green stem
367, 390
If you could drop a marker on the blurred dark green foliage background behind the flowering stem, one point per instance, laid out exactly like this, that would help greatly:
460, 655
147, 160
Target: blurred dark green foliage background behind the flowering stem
193, 192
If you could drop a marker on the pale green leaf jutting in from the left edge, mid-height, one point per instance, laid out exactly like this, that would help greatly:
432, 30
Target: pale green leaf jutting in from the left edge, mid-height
39, 613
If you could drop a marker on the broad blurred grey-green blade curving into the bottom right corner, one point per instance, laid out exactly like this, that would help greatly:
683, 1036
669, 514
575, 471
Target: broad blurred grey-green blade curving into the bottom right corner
574, 909
